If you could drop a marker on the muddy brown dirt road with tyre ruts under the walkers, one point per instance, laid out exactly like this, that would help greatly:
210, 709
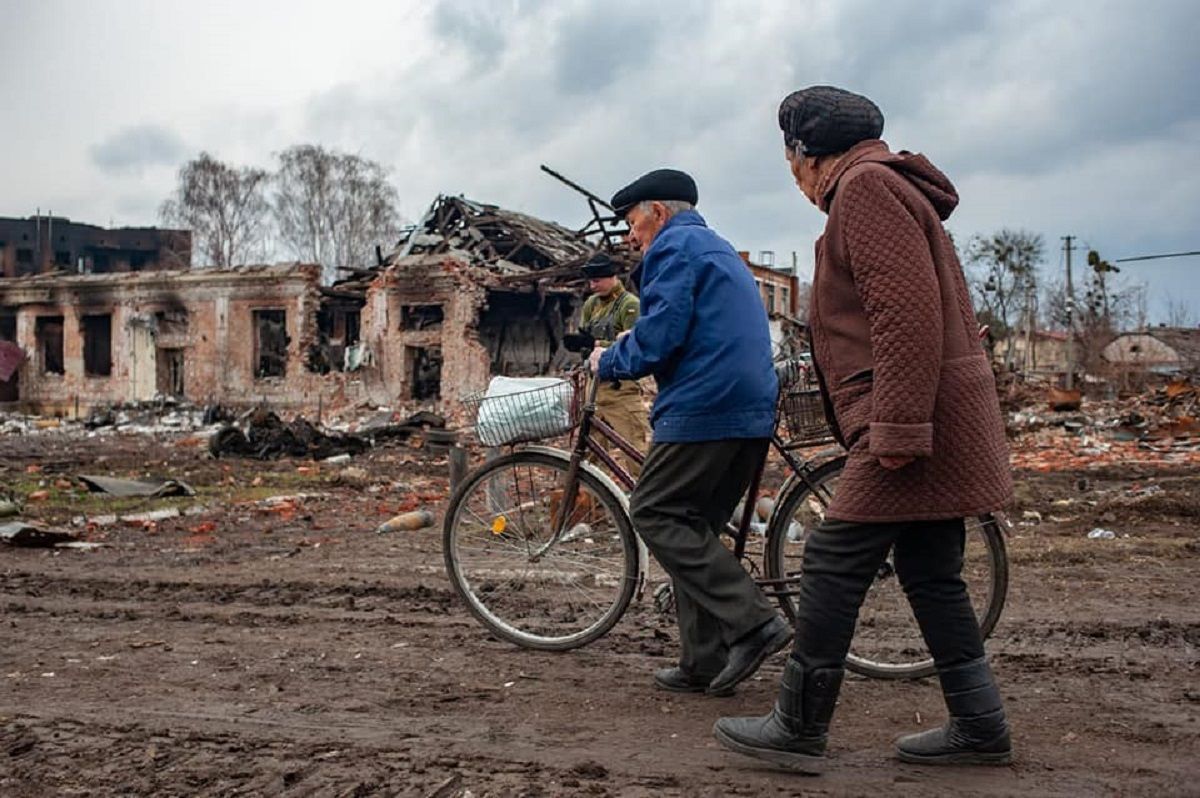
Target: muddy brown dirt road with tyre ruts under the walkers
285, 650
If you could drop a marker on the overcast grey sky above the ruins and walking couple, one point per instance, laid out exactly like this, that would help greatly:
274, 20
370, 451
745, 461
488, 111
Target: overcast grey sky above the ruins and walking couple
1059, 117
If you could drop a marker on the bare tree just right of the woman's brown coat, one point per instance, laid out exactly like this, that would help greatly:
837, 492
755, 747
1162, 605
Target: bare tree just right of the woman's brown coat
1004, 280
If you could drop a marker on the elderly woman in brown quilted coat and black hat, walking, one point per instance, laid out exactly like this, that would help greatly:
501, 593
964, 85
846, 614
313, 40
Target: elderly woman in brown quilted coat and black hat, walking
914, 401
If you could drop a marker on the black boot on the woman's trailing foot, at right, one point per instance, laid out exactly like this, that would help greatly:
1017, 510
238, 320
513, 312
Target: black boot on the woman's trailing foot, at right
977, 733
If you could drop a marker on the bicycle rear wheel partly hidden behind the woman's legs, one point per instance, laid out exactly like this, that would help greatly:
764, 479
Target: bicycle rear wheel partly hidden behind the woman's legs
887, 641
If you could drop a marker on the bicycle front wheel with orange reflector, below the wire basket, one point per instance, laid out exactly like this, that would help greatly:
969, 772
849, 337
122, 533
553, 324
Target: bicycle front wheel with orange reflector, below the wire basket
520, 581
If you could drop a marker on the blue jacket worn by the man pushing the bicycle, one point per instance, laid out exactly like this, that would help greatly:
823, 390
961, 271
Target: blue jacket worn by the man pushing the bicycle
703, 335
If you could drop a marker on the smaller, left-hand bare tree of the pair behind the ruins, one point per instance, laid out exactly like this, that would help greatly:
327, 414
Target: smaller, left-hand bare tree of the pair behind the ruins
225, 207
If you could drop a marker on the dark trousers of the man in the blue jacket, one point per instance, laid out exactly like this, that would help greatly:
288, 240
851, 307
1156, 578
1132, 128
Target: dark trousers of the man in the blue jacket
682, 502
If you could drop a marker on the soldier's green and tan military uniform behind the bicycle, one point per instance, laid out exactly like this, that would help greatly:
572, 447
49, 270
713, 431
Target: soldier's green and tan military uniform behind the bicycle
605, 319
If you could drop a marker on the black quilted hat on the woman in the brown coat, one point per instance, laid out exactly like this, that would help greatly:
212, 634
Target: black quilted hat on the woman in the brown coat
821, 121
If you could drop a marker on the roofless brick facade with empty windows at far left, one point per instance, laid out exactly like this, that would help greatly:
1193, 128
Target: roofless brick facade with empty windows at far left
122, 338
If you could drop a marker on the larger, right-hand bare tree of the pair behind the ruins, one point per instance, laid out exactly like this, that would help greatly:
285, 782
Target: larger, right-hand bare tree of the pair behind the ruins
332, 208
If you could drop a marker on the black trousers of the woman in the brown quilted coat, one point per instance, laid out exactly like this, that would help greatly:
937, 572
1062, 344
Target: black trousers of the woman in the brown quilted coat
842, 560
